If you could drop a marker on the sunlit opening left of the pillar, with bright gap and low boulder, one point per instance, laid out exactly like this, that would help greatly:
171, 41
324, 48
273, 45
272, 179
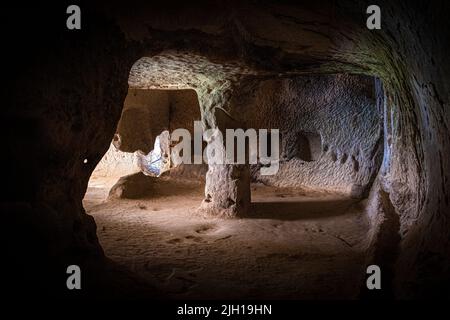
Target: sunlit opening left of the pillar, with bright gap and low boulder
138, 159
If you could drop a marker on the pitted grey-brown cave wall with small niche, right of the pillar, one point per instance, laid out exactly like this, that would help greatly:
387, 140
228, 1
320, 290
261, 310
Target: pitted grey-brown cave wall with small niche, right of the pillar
331, 129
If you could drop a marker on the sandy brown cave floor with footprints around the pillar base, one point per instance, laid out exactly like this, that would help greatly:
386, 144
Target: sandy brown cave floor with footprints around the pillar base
295, 245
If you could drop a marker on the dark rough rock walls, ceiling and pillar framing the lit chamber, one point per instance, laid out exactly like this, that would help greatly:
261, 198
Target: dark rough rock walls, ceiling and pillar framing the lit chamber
68, 91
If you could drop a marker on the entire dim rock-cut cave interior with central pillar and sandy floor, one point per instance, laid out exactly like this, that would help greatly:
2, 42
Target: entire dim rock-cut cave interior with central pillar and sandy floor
363, 177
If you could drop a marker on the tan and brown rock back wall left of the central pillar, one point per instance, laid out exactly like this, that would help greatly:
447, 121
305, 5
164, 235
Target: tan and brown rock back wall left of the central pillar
148, 114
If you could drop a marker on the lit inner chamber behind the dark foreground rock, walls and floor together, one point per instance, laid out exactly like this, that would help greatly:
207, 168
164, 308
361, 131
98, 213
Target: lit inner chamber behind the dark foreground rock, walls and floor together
305, 223
